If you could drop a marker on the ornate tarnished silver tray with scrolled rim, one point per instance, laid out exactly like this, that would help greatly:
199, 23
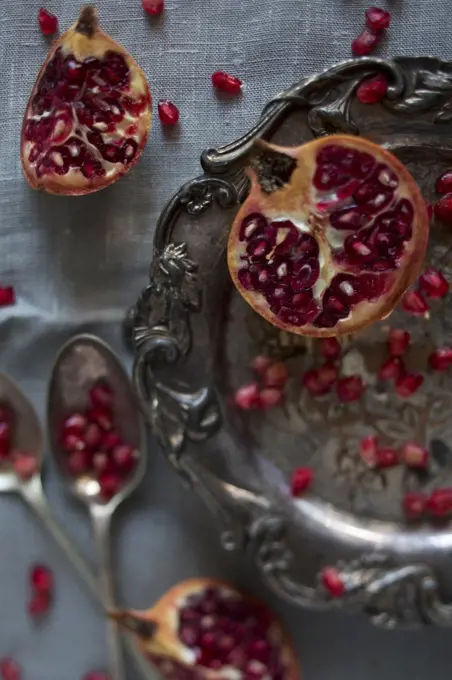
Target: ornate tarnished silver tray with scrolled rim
193, 339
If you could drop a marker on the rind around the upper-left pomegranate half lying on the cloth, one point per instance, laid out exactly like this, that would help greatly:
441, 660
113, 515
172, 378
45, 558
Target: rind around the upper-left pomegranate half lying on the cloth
83, 46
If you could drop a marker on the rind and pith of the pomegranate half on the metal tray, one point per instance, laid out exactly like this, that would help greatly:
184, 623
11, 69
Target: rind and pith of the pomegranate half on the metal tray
293, 200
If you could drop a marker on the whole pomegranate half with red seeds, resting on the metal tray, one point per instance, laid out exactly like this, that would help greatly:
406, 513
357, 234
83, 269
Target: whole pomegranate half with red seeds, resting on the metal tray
330, 237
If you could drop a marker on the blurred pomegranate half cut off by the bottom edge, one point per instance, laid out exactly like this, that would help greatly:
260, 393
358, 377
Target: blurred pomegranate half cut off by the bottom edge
206, 629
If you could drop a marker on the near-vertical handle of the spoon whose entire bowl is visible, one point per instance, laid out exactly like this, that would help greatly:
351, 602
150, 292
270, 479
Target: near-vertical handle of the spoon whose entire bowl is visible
101, 521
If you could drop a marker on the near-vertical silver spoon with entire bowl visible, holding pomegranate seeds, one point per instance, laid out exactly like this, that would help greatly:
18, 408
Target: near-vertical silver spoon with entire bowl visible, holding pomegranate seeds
83, 361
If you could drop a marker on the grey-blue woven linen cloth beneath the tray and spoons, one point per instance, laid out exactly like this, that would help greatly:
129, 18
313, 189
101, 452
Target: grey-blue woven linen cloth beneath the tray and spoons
78, 263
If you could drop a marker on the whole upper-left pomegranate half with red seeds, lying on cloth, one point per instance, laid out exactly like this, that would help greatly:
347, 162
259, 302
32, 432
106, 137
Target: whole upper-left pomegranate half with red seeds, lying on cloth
89, 113
